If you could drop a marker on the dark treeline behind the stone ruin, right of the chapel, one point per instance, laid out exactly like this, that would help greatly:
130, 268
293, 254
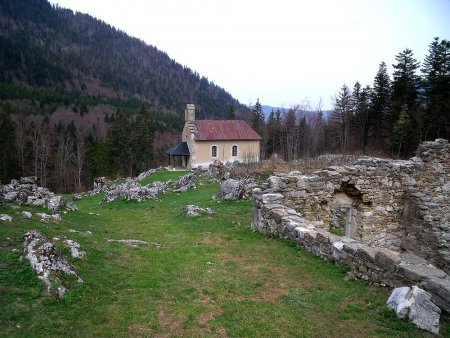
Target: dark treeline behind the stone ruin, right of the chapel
389, 118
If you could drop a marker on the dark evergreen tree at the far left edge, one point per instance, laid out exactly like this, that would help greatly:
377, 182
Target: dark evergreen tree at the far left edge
8, 150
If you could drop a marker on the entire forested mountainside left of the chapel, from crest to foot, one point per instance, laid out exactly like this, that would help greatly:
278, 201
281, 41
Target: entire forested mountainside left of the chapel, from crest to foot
74, 92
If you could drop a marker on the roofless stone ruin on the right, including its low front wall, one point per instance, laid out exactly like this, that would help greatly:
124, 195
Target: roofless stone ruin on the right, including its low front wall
395, 215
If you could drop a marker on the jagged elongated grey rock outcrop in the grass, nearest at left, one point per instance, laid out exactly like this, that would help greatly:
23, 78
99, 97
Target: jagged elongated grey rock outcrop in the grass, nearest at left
47, 262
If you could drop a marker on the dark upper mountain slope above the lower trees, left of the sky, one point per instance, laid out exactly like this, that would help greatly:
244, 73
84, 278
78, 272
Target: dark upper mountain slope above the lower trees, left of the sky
45, 46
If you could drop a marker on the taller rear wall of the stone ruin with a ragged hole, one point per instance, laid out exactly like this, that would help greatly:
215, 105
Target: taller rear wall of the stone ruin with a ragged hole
399, 205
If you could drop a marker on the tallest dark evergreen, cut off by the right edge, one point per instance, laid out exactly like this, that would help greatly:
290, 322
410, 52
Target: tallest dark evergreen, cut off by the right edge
436, 93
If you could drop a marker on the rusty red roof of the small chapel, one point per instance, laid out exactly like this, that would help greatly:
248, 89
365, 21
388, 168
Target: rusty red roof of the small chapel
214, 130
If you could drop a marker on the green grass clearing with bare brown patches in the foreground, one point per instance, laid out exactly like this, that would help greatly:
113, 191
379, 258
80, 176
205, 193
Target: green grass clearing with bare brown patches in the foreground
211, 276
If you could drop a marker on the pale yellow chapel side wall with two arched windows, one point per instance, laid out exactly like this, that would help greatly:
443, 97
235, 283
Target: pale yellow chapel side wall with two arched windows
201, 152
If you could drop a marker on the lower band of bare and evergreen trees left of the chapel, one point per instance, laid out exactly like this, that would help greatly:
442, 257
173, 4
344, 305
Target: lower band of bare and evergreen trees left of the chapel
66, 158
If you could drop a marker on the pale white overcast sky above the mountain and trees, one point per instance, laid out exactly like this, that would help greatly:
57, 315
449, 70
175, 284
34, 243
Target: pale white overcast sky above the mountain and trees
281, 51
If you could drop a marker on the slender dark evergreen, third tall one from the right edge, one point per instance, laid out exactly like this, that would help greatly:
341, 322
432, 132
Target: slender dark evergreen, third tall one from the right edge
379, 106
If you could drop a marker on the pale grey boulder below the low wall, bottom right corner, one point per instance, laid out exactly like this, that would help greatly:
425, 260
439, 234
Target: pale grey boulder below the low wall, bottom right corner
415, 305
